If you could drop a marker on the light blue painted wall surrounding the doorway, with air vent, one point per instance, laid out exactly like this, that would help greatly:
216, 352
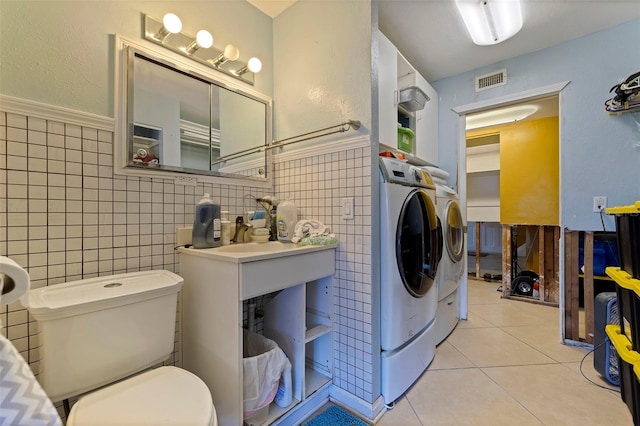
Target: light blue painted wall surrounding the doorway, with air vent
599, 153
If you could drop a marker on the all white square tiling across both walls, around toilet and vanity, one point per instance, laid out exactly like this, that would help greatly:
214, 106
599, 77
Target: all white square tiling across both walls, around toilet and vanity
64, 216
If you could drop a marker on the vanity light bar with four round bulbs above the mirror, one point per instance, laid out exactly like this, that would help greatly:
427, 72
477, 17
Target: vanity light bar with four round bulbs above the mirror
168, 34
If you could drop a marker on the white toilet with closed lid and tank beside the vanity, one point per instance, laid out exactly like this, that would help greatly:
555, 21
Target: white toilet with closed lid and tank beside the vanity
98, 331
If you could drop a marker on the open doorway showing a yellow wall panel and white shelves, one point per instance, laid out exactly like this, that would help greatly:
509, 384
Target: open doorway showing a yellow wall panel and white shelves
506, 145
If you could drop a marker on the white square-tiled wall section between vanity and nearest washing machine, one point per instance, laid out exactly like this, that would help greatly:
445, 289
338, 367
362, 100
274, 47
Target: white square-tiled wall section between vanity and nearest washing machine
317, 184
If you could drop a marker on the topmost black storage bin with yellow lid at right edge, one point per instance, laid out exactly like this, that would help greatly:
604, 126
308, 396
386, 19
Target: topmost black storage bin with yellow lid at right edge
628, 234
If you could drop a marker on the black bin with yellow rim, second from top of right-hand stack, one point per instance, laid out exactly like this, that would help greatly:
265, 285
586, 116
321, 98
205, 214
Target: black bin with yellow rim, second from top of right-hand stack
628, 292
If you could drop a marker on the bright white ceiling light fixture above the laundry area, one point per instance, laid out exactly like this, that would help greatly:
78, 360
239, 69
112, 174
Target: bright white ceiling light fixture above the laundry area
491, 21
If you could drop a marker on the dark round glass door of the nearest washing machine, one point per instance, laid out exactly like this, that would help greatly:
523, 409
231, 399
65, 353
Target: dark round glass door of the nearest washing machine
417, 251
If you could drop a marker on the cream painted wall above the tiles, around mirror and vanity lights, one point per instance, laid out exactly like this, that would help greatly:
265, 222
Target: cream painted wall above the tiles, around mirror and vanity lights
61, 52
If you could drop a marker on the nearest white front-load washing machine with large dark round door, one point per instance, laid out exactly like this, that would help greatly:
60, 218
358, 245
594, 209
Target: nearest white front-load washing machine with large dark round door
410, 252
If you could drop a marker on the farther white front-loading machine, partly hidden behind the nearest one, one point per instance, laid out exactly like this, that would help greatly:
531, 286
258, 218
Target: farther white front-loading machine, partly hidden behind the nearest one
451, 268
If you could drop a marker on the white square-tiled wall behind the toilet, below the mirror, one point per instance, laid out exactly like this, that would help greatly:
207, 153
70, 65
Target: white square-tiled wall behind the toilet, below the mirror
64, 215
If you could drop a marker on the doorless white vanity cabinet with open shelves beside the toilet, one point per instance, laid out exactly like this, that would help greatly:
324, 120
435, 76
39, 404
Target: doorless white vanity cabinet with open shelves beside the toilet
297, 316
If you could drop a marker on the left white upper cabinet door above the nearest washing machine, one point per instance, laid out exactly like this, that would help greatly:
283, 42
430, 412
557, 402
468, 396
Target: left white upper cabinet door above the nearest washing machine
387, 91
